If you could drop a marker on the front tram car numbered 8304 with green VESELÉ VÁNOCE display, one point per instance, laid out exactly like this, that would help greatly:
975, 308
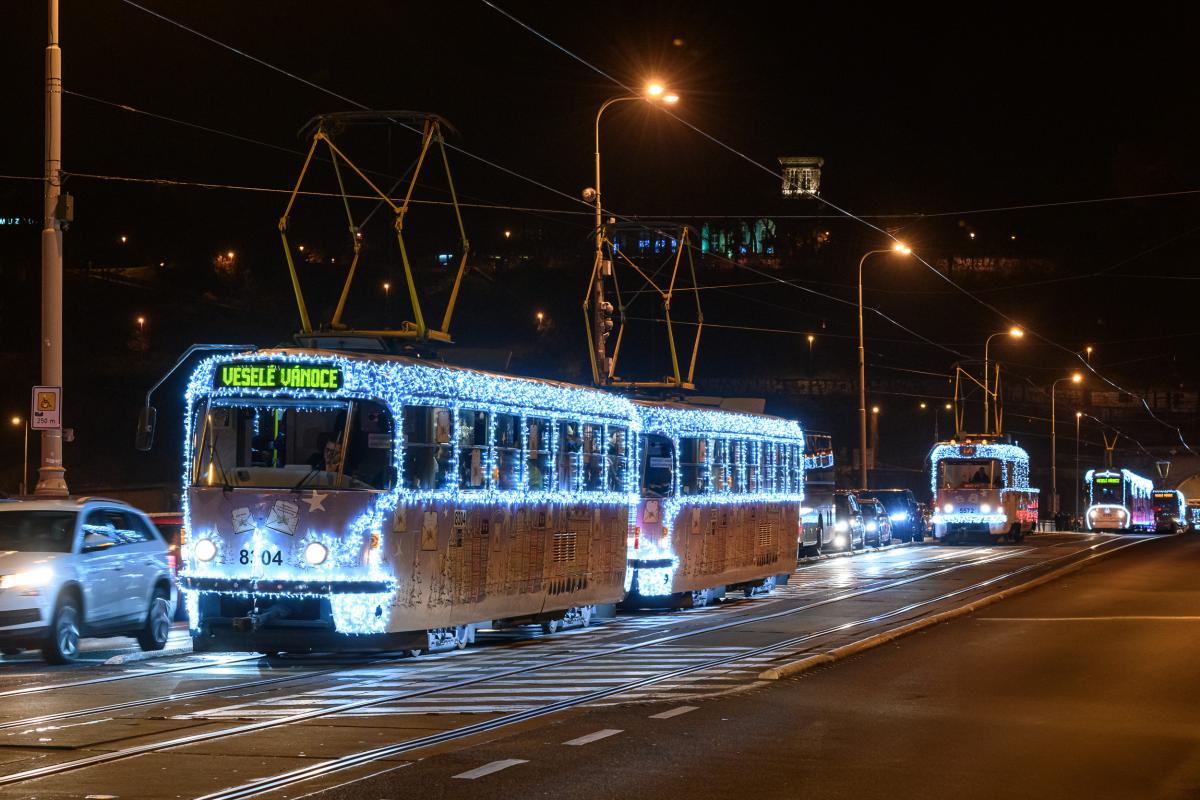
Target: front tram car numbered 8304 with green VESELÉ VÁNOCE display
381, 502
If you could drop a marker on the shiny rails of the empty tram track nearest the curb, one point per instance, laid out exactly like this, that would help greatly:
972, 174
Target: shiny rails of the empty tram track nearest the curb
496, 676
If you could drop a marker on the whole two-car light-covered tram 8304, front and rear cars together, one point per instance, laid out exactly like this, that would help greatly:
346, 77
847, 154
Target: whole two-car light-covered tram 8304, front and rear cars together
361, 502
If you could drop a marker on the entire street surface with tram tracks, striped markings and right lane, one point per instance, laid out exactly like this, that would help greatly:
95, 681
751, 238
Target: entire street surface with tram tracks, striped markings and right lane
665, 705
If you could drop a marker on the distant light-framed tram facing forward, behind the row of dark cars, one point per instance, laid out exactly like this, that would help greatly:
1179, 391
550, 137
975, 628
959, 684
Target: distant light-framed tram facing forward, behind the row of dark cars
982, 491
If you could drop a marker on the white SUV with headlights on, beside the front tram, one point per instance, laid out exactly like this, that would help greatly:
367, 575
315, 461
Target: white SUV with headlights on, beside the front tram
82, 567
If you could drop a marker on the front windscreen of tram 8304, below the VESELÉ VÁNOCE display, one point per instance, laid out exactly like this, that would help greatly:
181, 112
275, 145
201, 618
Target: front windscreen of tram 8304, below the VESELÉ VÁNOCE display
293, 444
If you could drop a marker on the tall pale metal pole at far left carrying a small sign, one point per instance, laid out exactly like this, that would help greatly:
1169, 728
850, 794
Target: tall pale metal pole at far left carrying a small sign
52, 477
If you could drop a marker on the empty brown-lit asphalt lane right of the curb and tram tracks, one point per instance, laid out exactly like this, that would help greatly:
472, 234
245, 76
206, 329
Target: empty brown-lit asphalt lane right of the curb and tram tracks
1085, 688
